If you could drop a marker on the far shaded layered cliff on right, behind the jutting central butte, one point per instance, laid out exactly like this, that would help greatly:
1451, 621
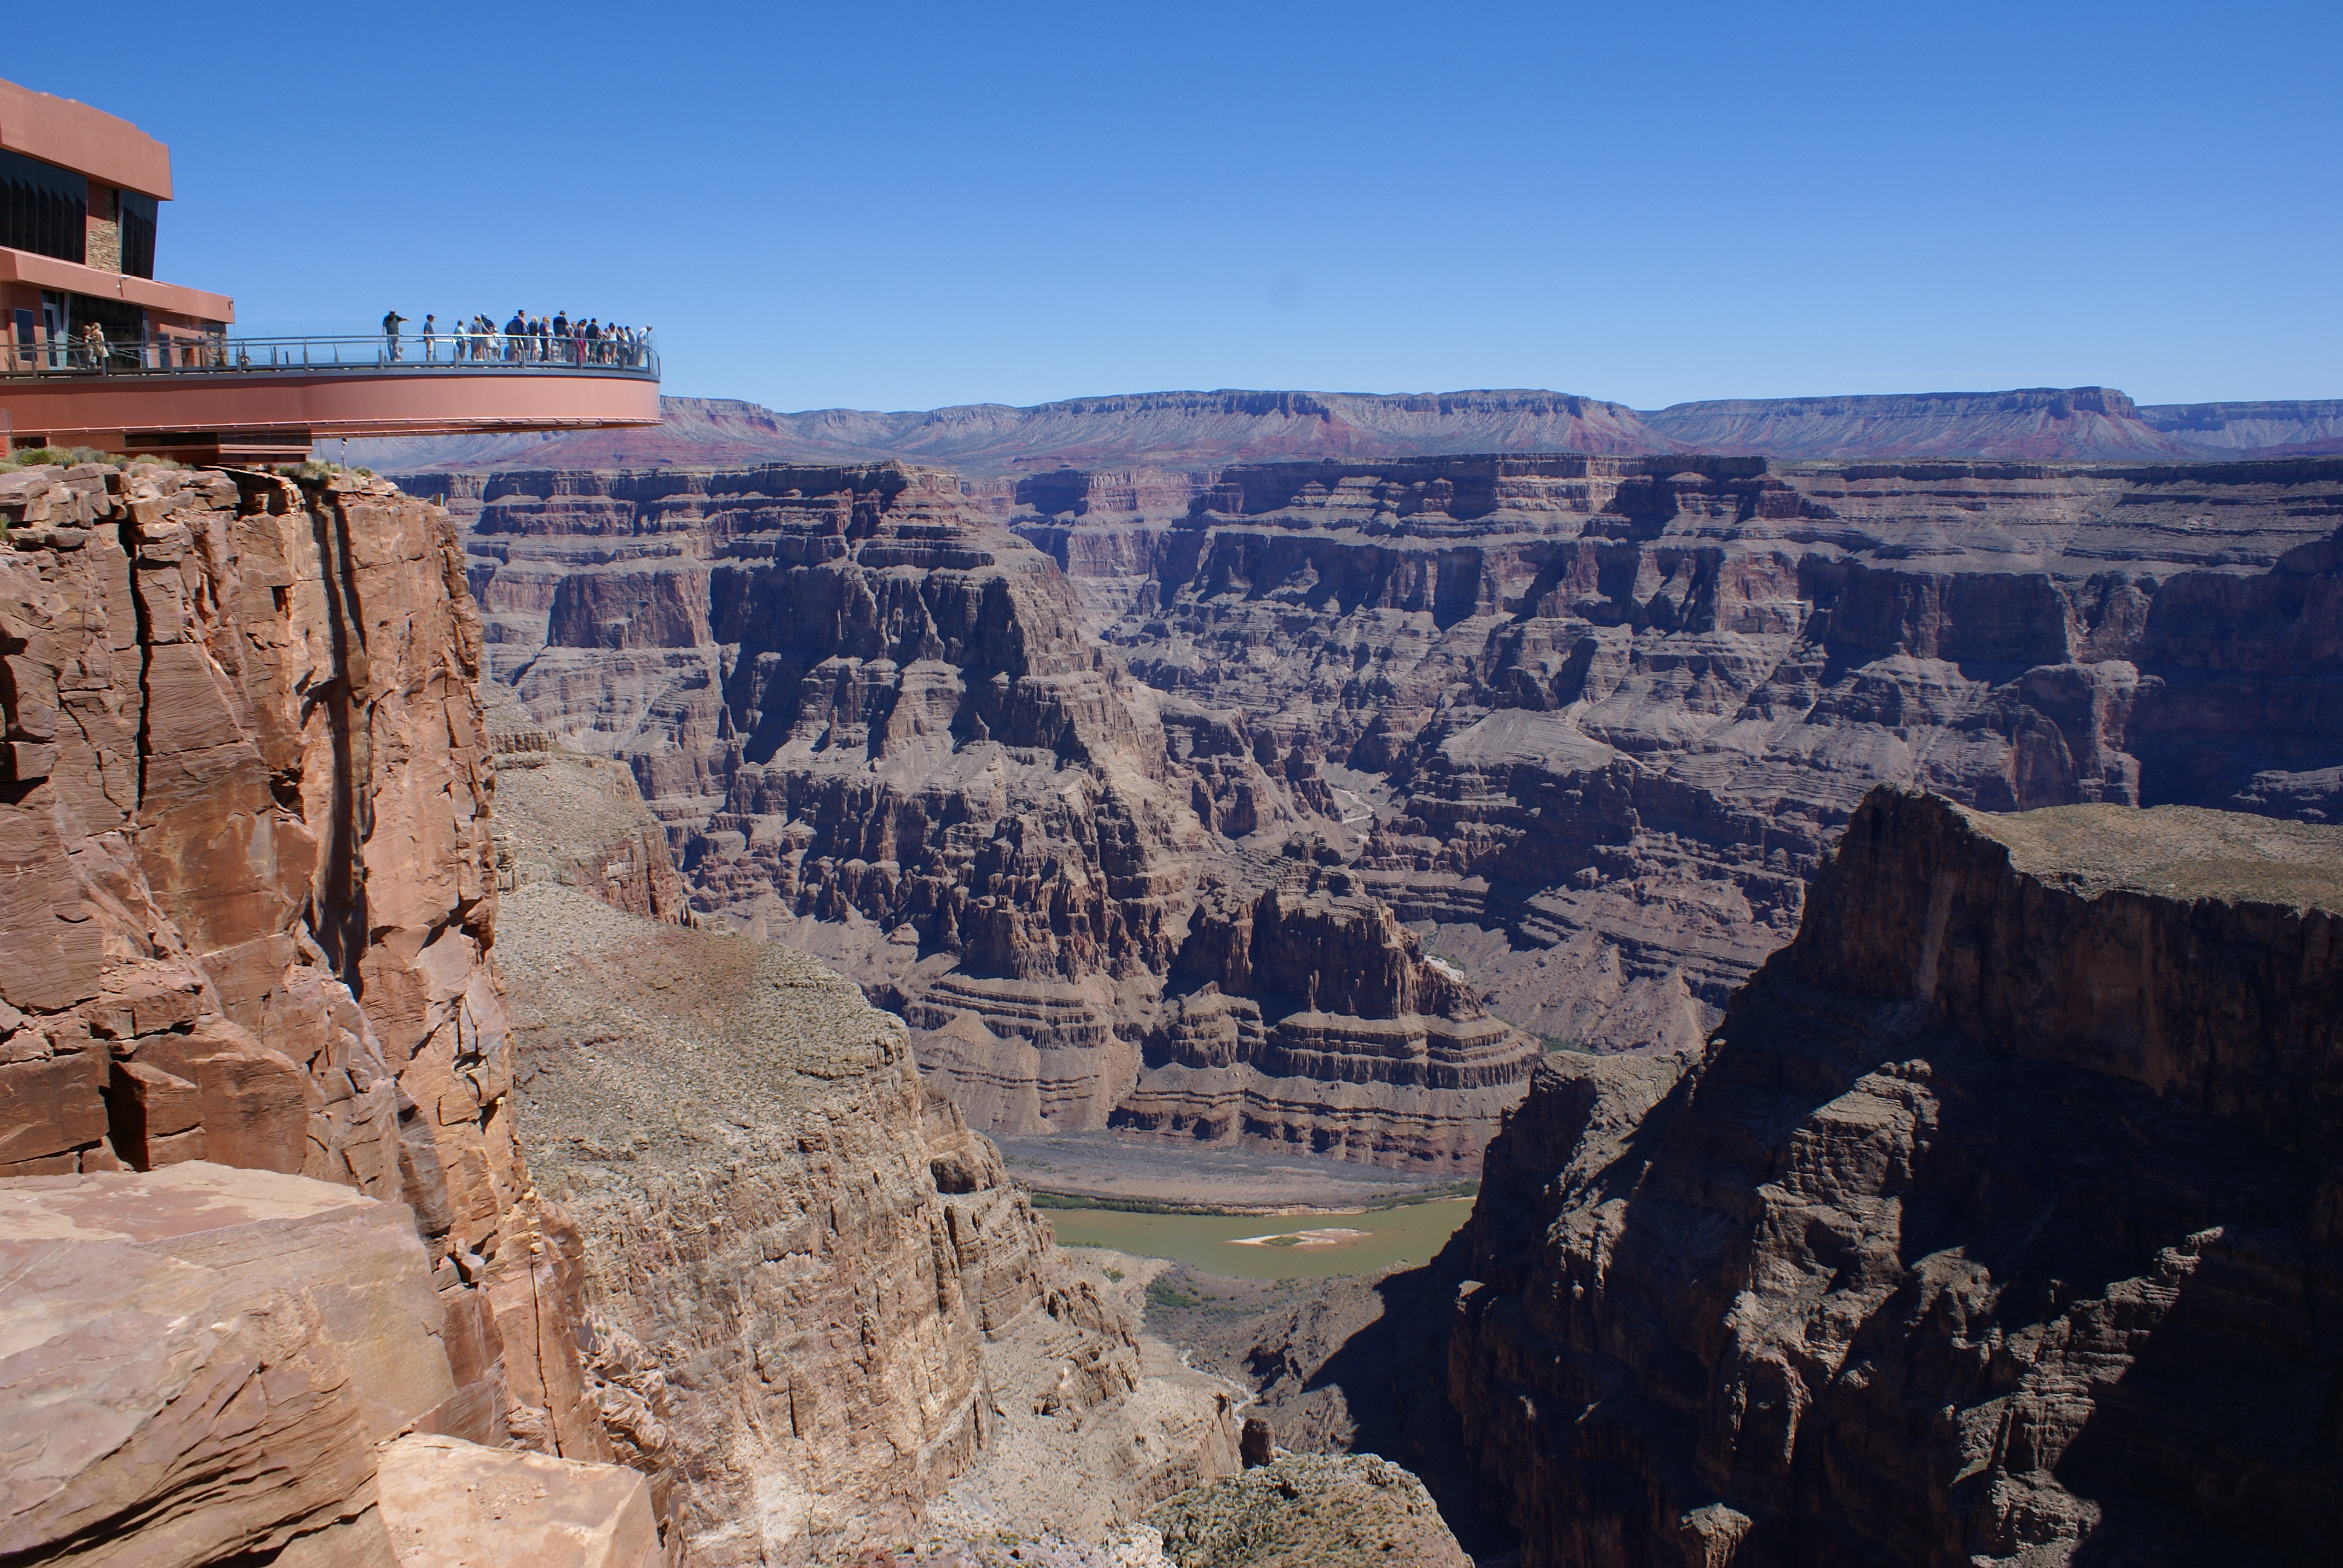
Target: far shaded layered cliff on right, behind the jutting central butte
1592, 723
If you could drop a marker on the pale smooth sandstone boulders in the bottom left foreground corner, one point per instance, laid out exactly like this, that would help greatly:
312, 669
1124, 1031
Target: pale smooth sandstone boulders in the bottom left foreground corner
221, 1365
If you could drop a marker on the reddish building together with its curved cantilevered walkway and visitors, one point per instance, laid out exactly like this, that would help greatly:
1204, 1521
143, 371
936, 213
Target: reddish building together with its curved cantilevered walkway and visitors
97, 353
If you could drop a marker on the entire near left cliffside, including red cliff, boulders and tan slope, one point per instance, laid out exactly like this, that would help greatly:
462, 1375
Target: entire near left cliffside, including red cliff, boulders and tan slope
280, 1276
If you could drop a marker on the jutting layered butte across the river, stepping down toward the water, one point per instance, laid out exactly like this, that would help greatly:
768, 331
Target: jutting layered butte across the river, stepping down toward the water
875, 728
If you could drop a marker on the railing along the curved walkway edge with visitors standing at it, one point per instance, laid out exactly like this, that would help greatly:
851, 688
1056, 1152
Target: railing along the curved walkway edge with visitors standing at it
442, 353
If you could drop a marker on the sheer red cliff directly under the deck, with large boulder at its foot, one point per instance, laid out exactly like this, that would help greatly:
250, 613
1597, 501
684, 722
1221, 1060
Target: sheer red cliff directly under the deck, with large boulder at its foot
247, 901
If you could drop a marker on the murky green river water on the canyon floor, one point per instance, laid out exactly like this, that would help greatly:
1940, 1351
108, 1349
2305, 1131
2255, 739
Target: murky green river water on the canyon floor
1210, 1241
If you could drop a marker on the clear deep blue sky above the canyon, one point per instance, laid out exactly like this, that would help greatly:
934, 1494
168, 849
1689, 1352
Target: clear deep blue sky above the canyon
915, 205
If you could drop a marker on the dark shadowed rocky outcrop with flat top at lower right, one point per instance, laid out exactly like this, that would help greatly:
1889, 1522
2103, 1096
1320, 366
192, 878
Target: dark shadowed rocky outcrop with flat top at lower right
1995, 1222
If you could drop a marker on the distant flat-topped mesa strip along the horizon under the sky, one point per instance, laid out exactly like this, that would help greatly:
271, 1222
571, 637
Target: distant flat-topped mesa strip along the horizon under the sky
1208, 430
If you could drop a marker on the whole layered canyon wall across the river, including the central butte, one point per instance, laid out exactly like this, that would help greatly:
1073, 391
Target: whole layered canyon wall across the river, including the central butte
1287, 812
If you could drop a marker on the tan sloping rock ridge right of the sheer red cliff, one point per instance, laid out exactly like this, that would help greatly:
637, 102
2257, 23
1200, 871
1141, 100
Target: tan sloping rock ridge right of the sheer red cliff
810, 1279
